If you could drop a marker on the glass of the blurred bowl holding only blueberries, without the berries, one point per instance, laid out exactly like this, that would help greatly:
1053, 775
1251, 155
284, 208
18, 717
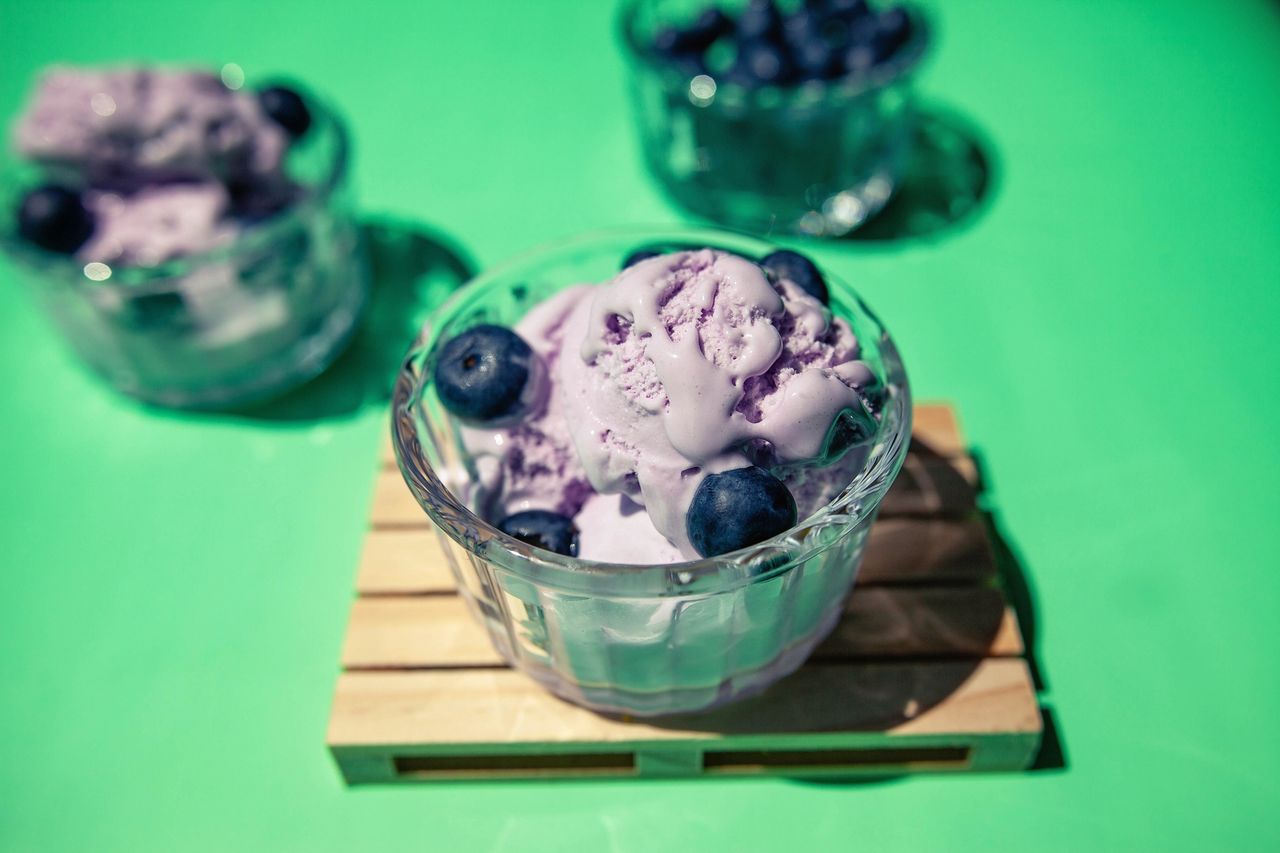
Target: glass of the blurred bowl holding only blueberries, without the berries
817, 159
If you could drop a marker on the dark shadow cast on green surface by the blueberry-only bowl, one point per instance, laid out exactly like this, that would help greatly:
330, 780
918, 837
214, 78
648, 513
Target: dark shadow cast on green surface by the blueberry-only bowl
949, 183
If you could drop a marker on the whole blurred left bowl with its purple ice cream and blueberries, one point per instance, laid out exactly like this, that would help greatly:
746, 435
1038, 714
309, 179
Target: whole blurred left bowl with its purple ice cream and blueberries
194, 240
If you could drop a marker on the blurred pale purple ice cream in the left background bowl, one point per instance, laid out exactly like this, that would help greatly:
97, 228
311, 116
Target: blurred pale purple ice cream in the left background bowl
172, 163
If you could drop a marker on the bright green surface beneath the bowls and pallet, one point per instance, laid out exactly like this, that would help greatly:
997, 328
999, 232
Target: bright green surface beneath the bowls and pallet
175, 587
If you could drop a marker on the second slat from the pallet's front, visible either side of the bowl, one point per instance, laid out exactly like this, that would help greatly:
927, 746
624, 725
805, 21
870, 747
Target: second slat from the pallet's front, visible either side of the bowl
437, 632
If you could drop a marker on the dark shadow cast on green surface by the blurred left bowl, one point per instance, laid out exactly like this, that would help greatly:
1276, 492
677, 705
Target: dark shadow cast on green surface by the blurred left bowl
414, 270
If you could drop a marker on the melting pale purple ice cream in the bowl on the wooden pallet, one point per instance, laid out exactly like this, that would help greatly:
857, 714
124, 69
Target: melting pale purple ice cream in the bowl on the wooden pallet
684, 366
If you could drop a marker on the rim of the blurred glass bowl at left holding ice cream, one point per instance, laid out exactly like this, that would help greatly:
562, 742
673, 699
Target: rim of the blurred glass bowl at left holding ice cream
252, 239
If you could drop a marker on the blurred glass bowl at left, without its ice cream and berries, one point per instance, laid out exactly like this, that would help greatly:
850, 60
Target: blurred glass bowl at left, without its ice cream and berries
237, 323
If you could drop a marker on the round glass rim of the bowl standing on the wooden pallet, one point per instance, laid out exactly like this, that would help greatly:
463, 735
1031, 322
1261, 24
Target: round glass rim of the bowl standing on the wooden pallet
854, 505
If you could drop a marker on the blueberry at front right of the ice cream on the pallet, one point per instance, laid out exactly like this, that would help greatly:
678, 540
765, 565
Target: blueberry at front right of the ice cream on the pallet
737, 509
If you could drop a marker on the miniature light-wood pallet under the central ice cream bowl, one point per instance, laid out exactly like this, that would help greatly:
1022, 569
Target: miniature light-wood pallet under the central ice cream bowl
925, 673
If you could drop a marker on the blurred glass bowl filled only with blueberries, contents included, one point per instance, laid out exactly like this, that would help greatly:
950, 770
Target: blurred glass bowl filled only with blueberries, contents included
775, 117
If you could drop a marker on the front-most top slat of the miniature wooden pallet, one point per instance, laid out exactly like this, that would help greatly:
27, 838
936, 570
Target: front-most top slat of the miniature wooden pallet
500, 706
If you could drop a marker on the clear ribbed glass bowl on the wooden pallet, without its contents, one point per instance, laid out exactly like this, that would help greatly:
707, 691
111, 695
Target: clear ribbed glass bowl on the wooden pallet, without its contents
624, 638
